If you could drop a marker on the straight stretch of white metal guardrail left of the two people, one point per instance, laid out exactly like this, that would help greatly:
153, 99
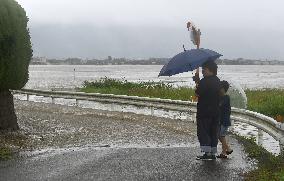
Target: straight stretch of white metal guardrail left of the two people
167, 104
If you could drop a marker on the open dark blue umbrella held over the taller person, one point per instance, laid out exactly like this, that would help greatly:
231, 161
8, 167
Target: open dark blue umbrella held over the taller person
188, 60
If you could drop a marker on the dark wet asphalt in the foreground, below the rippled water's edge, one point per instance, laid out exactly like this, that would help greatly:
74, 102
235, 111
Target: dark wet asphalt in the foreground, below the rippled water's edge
124, 164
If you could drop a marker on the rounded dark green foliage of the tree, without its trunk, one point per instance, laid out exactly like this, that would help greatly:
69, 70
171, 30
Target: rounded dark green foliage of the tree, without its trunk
15, 46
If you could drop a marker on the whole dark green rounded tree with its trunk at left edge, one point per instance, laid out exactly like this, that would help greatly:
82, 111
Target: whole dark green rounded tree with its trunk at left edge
15, 56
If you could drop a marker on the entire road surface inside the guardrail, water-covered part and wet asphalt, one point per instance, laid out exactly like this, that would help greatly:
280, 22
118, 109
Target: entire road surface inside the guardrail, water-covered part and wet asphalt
165, 150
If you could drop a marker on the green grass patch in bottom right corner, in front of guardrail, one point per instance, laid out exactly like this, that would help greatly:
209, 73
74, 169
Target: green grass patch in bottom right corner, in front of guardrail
269, 166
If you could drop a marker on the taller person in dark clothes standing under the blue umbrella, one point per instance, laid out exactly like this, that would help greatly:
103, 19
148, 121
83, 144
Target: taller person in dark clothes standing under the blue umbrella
207, 116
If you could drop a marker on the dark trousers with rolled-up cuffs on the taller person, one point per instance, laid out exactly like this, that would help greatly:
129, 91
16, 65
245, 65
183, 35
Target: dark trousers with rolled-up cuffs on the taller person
207, 132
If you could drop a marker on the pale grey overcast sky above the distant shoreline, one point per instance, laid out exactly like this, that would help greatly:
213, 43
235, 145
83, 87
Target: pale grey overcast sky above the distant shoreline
155, 28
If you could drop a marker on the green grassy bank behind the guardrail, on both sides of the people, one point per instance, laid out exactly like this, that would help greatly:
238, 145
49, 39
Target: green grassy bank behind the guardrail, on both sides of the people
269, 102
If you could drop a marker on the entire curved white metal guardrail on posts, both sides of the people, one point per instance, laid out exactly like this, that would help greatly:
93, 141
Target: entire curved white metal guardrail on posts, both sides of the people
261, 122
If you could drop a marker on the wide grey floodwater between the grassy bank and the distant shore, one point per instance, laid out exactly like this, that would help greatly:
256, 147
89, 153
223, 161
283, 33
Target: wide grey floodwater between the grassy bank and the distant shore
59, 76
